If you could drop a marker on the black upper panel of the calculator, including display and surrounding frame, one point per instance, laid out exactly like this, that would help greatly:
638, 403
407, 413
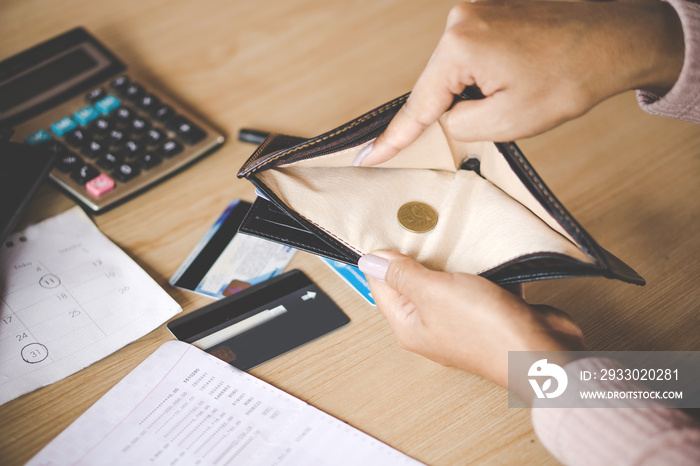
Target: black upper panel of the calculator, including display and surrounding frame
37, 79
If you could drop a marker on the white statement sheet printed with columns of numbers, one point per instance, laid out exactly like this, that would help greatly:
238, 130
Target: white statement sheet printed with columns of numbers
184, 406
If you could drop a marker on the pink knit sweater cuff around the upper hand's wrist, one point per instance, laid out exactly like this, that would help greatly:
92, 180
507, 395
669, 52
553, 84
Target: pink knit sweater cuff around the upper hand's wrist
683, 100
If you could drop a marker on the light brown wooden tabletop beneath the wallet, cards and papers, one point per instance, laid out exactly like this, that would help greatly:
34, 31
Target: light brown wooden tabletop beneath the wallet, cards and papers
303, 67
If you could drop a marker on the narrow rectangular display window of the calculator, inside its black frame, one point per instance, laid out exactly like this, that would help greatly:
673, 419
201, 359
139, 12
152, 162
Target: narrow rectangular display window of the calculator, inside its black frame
44, 78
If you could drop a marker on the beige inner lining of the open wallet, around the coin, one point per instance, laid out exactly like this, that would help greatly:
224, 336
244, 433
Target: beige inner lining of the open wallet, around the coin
483, 222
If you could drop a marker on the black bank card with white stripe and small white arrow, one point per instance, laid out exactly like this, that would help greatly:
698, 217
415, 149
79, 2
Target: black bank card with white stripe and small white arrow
261, 322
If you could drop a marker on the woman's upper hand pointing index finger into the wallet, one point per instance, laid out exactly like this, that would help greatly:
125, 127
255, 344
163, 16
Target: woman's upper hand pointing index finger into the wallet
538, 64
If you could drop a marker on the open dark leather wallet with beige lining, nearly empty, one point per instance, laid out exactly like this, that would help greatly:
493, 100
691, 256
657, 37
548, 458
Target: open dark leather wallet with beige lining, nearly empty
495, 216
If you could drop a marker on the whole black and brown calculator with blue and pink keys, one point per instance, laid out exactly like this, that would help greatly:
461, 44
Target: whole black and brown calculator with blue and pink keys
113, 134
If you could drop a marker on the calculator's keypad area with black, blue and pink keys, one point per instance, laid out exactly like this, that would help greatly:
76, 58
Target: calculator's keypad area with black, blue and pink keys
121, 133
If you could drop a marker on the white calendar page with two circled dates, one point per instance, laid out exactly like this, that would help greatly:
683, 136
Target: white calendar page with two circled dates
68, 298
